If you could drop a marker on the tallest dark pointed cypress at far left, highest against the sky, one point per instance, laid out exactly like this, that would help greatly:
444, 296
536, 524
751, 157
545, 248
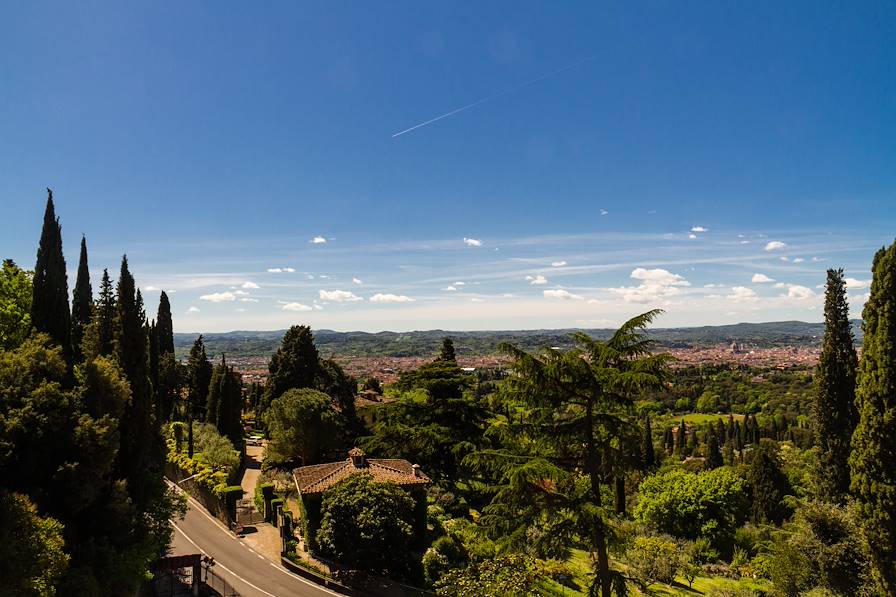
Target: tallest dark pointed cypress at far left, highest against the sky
49, 304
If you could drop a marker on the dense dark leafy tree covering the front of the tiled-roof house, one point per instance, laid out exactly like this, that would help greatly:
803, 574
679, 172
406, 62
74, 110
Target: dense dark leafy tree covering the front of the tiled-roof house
367, 525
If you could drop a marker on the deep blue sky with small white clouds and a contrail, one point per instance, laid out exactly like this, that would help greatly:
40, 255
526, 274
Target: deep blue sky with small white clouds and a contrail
214, 142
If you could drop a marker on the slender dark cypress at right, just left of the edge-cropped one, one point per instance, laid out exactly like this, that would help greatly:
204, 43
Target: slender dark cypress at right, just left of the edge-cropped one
834, 407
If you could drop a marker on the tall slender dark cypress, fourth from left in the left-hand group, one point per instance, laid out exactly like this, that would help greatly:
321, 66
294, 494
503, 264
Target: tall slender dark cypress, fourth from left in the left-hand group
140, 455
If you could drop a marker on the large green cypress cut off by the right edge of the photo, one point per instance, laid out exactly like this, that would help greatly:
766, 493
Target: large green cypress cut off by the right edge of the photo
872, 462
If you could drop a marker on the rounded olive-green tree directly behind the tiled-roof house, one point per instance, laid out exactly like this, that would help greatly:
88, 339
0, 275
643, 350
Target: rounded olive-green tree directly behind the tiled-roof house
302, 424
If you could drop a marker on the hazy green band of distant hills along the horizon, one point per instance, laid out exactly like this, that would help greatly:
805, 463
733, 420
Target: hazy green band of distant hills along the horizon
427, 343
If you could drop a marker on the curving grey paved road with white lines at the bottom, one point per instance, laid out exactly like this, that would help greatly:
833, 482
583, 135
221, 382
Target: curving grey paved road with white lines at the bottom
247, 571
